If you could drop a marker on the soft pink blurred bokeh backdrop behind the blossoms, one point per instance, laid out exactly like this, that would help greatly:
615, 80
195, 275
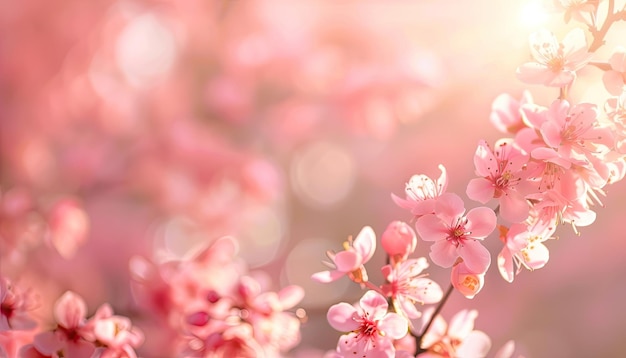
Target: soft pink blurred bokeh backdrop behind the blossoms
163, 125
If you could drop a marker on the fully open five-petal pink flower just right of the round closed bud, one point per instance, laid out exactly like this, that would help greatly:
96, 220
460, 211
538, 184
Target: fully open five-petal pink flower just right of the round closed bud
457, 235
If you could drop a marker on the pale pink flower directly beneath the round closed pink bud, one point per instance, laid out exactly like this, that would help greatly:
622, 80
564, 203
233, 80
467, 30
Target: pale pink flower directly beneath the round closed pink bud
408, 285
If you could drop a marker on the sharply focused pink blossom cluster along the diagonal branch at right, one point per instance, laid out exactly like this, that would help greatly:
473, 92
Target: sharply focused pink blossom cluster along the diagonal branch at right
551, 169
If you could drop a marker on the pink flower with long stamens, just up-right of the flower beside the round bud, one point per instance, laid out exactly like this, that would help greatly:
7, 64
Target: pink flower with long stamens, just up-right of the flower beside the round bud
501, 170
